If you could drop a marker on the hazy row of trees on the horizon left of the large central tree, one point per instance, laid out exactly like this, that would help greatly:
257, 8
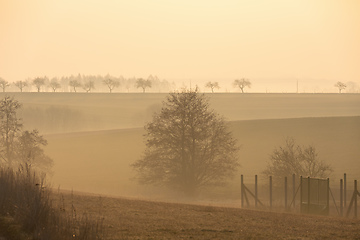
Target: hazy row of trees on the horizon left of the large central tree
88, 83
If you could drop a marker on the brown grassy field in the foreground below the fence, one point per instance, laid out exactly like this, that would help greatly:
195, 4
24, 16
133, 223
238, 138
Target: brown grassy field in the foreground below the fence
138, 219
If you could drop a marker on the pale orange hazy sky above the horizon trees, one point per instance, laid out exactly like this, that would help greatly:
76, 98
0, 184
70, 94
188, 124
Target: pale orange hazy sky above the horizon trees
263, 40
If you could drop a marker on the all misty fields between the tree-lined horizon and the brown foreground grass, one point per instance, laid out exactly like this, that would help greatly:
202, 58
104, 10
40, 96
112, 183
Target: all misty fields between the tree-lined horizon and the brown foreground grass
93, 138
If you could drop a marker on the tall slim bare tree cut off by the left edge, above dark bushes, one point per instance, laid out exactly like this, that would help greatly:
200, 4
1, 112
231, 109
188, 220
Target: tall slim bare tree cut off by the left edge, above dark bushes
10, 126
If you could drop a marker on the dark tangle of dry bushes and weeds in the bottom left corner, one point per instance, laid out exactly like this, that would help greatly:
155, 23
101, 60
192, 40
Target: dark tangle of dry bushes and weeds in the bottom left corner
27, 212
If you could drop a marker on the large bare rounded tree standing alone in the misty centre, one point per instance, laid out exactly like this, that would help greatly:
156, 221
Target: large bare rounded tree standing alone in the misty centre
188, 146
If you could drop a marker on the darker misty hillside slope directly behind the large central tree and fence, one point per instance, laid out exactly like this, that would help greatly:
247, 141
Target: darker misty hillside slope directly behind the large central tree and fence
100, 161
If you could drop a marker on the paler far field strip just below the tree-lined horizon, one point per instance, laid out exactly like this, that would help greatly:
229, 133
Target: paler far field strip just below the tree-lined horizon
59, 112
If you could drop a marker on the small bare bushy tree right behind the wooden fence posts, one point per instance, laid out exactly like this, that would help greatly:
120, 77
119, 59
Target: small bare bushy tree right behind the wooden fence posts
294, 159
